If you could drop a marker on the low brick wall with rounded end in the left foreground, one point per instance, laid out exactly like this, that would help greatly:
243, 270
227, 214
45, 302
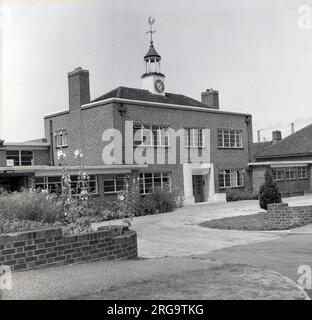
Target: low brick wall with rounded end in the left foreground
31, 249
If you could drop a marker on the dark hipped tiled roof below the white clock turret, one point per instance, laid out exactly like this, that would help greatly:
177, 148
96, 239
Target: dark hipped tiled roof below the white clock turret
145, 95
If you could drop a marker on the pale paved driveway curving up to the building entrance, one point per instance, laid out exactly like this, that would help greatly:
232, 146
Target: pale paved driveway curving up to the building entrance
177, 233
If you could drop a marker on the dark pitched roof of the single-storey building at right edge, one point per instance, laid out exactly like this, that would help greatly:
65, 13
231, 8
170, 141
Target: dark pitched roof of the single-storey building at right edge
299, 143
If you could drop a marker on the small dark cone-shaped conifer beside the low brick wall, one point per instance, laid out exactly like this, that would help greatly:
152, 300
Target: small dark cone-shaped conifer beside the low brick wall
269, 192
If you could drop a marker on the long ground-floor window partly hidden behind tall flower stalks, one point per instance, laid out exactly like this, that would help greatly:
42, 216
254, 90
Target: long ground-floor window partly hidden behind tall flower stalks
54, 184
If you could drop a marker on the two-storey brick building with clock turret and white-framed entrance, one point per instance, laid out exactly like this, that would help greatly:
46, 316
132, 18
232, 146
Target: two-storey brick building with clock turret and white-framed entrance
82, 125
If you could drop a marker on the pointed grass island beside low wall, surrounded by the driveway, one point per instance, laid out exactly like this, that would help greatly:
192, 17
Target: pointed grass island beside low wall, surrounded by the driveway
253, 222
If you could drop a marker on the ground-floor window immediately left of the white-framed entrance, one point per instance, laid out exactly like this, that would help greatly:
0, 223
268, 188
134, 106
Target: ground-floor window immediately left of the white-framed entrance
153, 182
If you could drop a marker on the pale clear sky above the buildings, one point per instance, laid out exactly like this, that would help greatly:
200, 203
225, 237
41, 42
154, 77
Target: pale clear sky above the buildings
253, 52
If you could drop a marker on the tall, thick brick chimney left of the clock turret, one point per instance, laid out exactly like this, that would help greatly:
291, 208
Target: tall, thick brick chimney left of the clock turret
79, 89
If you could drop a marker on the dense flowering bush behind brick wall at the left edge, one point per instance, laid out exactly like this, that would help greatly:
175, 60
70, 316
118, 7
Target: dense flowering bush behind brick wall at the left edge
30, 205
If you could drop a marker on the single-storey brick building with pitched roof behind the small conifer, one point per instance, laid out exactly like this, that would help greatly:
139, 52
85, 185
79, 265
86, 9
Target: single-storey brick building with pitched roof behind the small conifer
290, 160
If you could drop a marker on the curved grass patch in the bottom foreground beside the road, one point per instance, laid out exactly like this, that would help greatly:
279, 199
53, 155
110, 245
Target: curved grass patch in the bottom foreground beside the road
224, 282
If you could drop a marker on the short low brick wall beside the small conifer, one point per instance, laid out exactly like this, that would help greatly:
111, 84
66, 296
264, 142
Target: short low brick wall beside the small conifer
281, 216
